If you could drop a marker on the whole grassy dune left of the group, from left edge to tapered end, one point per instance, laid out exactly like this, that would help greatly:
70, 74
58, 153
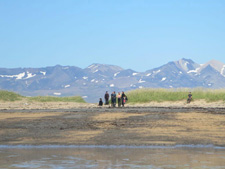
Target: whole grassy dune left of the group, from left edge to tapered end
11, 96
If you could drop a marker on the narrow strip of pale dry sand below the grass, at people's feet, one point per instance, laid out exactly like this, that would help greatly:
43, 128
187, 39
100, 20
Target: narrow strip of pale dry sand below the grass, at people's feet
26, 105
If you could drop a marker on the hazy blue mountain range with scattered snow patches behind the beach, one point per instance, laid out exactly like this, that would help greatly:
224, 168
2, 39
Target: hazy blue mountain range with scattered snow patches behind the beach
92, 82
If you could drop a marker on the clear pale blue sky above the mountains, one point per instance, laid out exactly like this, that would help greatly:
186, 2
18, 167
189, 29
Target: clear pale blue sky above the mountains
136, 34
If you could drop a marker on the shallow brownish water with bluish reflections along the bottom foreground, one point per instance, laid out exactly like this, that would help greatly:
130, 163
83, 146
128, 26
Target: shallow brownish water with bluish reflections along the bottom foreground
112, 157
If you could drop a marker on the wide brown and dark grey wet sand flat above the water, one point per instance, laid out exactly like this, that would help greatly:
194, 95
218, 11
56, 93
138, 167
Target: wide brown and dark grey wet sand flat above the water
113, 126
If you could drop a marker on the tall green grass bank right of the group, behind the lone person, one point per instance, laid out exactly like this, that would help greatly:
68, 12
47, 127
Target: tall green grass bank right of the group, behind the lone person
181, 94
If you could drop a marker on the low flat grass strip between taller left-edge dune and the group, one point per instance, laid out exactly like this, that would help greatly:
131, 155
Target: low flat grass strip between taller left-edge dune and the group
76, 99
